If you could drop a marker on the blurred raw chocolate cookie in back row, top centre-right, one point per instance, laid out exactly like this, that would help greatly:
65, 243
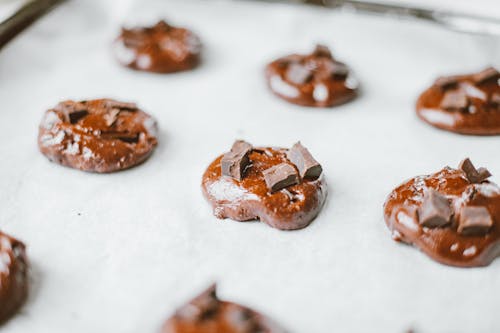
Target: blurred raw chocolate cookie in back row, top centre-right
316, 79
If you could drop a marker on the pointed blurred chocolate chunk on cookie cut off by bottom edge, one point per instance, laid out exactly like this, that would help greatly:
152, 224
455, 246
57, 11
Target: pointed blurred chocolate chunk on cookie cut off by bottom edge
203, 306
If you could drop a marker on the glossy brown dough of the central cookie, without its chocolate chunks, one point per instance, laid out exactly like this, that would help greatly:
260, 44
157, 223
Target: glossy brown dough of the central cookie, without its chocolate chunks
292, 208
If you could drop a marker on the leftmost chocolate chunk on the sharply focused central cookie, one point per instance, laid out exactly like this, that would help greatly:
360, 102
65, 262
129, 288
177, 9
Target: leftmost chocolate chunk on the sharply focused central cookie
234, 162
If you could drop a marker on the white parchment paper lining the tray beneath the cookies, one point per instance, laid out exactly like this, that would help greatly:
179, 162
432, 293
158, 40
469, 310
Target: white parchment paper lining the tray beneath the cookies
119, 252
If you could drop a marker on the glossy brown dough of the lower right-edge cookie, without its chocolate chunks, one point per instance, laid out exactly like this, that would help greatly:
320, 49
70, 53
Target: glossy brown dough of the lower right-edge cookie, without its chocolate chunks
445, 245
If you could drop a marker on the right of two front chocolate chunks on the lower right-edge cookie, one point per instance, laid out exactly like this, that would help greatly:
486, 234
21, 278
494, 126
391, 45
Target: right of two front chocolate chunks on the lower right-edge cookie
474, 221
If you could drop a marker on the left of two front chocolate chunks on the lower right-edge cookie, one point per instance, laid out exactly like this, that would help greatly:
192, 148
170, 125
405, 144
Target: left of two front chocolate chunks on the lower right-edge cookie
435, 211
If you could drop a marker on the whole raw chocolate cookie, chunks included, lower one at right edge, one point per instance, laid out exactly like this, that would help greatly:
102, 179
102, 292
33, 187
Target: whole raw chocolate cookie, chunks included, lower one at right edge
453, 215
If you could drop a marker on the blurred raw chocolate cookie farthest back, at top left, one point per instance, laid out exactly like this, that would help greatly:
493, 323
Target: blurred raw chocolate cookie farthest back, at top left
161, 48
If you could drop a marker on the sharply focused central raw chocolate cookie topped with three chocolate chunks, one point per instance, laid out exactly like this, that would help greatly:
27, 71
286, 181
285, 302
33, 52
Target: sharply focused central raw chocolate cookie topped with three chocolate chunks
284, 188
